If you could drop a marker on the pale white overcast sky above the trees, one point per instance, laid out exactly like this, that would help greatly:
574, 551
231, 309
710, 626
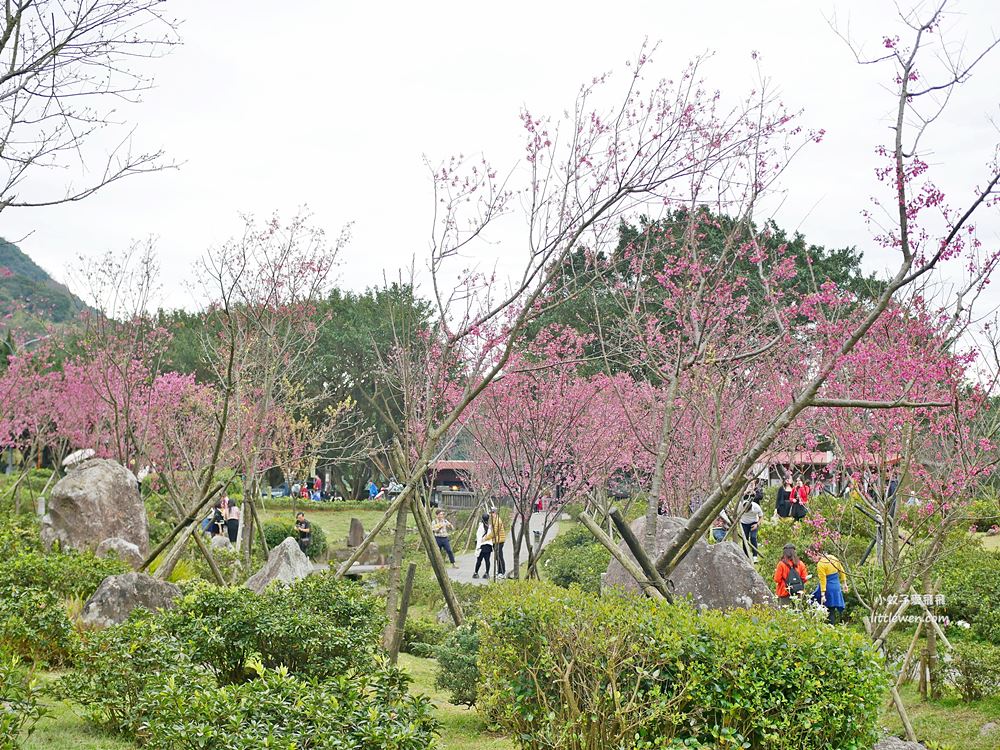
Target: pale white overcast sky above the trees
332, 105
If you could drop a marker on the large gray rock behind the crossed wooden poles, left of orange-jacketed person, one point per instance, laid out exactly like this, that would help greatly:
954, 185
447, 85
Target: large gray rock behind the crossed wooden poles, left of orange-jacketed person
717, 576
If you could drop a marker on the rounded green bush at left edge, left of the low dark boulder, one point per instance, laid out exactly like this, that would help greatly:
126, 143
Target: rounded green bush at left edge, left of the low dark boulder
34, 625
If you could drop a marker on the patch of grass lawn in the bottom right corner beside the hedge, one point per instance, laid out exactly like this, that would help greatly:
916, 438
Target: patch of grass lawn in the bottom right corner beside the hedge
951, 722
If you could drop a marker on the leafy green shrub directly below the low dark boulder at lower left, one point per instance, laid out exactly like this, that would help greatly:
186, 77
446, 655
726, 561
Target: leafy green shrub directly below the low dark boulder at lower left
116, 666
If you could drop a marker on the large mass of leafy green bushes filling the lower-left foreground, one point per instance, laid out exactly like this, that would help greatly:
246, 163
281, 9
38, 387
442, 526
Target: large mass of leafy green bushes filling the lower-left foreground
233, 670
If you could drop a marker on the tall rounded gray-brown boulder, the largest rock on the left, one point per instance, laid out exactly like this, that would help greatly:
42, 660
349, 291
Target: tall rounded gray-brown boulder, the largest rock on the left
98, 500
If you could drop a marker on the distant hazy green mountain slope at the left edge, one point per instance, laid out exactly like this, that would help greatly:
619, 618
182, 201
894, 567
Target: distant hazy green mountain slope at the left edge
28, 295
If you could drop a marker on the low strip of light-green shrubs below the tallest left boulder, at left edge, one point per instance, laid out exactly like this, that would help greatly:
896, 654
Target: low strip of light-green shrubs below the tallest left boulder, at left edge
65, 574
